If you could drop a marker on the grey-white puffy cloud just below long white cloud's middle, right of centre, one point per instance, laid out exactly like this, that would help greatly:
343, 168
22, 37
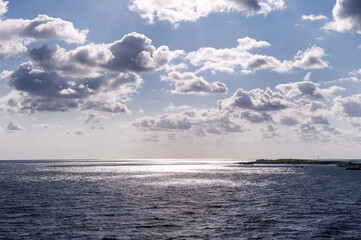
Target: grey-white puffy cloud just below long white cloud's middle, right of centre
255, 99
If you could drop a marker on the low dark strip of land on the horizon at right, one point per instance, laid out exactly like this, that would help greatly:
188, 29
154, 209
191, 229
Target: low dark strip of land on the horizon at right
349, 165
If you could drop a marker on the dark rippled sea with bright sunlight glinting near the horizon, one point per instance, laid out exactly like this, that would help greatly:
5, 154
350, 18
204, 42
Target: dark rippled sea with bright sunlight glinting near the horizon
177, 200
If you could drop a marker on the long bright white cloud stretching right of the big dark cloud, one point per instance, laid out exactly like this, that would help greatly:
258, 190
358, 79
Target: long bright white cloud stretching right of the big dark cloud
231, 59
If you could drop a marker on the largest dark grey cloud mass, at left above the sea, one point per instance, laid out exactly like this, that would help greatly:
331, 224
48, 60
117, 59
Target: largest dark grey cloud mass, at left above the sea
89, 78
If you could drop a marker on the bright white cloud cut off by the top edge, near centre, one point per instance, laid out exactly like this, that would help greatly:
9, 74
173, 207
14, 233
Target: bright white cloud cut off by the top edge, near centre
189, 10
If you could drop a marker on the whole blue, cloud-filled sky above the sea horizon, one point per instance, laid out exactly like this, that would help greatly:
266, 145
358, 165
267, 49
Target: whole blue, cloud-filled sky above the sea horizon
230, 79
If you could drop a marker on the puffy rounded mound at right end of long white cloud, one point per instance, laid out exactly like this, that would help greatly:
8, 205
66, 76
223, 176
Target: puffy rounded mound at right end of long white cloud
311, 58
